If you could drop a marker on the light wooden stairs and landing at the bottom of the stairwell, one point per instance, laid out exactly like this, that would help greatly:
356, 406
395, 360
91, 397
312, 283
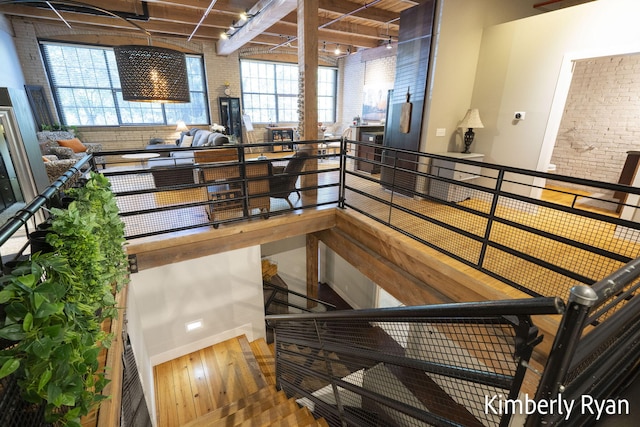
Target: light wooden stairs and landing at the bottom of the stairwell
229, 384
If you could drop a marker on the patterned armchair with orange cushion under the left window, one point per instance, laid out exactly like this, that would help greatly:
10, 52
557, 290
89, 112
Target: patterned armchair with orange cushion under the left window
58, 158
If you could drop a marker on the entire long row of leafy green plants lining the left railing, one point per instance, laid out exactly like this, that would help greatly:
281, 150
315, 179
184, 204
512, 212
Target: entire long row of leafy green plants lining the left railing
54, 305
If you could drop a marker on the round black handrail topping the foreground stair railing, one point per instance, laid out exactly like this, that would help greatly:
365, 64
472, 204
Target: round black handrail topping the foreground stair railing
515, 307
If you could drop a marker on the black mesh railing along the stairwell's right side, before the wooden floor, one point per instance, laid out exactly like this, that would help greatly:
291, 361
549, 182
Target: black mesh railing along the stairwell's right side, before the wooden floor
541, 239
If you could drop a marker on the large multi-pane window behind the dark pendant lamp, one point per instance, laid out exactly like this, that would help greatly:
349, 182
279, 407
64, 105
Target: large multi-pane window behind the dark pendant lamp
86, 89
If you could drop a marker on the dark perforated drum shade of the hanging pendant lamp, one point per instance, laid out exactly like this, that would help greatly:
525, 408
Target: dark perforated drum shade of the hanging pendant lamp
152, 74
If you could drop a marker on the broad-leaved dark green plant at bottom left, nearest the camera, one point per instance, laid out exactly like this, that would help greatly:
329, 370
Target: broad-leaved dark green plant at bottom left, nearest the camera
56, 340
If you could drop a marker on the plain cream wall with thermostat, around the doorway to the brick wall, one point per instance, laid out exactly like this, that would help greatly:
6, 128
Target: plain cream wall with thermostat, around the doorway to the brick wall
519, 69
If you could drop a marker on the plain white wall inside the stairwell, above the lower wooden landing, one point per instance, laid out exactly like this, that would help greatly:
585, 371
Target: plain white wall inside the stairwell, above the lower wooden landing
224, 290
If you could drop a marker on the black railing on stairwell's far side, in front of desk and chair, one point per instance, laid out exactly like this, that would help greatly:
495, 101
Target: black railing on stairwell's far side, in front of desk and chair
165, 190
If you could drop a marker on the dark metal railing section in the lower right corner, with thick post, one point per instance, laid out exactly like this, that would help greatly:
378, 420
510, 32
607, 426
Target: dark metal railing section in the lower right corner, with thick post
597, 347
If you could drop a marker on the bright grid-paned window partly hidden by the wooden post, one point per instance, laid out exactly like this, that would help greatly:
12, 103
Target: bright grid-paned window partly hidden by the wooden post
270, 92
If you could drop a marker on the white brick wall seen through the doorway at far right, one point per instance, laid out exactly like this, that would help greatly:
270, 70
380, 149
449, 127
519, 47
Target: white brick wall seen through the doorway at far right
601, 121
